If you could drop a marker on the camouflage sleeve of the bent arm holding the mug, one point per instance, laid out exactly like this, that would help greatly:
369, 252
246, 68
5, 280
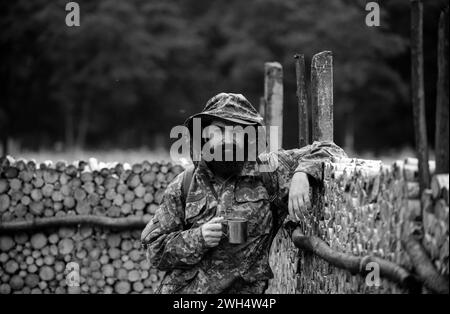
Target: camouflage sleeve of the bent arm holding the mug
168, 245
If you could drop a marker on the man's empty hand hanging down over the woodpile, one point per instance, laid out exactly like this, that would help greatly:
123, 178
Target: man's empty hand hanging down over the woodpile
298, 195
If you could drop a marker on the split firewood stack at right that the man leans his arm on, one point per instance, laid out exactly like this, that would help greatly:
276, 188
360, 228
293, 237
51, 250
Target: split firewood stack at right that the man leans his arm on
364, 208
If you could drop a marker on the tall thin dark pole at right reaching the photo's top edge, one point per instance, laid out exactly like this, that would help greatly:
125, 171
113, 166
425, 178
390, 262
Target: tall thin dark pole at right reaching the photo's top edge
418, 93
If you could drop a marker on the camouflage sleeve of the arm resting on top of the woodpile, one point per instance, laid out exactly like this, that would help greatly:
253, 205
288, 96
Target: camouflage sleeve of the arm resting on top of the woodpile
308, 159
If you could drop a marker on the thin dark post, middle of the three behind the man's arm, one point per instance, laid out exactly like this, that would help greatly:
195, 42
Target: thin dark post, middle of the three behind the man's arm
302, 100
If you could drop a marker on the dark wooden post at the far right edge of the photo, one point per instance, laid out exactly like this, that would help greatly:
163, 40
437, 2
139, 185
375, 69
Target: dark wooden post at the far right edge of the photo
441, 136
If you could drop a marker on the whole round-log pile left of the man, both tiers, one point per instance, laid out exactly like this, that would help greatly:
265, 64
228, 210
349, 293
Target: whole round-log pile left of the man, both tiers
110, 260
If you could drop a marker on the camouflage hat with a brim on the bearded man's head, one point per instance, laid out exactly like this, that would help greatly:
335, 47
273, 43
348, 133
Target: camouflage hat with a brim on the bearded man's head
231, 107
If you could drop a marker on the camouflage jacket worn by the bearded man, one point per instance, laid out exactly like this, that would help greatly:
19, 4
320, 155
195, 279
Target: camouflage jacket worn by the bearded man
174, 240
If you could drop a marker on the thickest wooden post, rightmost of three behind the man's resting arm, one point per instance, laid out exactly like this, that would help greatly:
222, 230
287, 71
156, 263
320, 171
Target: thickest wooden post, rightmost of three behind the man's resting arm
322, 96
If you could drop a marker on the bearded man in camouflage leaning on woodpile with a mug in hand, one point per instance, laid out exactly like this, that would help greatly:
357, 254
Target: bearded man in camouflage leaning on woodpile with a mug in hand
186, 236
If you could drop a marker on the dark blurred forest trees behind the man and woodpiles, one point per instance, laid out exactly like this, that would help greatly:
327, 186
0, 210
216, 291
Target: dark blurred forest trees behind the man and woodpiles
135, 68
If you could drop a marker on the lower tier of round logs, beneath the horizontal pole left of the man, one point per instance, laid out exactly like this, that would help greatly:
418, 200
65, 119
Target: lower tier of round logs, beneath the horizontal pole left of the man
104, 262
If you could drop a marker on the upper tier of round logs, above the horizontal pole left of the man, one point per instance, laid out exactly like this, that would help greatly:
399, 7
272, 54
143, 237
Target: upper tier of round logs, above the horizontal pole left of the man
29, 190
